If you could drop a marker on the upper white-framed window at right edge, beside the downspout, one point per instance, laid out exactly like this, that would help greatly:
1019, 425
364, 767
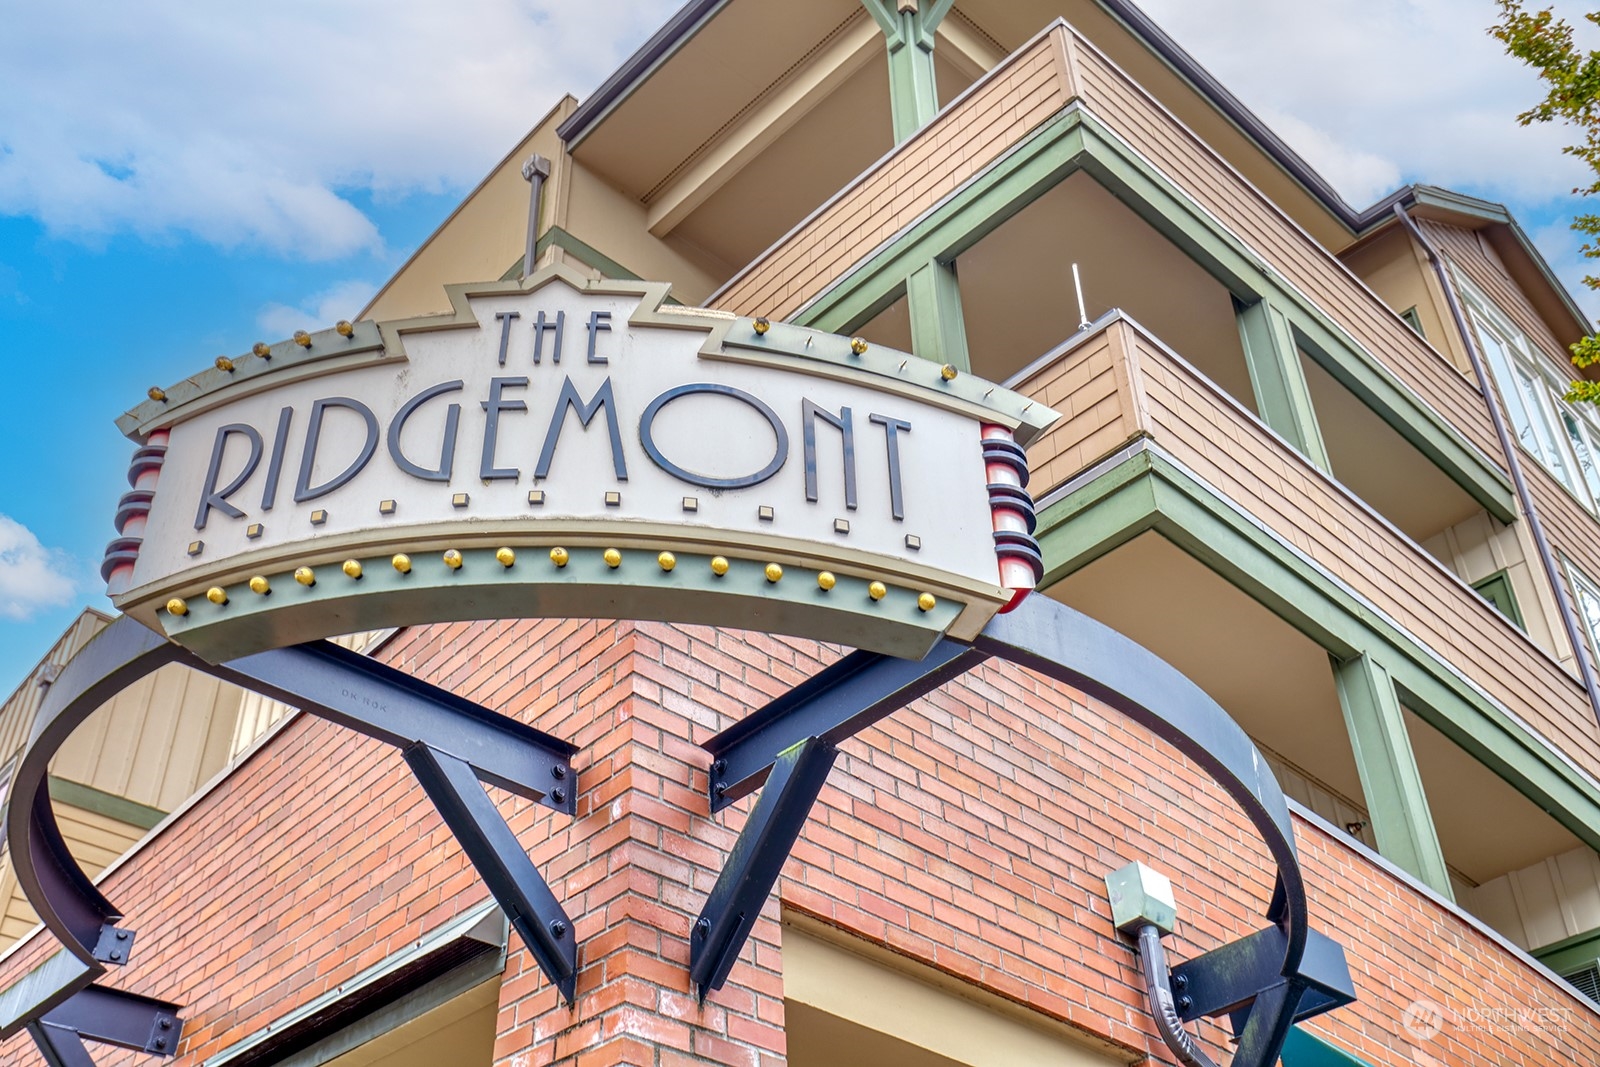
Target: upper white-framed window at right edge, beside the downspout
1566, 439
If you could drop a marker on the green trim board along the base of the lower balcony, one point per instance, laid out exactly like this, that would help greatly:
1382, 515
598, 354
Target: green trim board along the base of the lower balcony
1145, 490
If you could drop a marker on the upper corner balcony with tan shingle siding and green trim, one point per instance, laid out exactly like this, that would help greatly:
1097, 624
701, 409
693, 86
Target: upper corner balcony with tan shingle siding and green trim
1060, 132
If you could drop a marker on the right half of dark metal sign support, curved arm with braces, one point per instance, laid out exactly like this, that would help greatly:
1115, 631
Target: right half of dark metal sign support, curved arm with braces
790, 748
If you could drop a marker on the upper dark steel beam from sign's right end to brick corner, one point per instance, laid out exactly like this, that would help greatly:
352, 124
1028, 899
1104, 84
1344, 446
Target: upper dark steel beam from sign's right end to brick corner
834, 705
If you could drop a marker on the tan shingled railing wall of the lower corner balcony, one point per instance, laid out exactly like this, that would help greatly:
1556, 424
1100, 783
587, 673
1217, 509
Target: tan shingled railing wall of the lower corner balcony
1116, 383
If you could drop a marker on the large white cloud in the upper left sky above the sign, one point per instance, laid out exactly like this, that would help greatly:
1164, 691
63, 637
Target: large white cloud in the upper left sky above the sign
255, 124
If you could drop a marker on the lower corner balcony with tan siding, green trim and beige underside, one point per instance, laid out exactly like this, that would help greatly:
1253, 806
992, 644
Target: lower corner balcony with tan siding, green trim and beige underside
1262, 649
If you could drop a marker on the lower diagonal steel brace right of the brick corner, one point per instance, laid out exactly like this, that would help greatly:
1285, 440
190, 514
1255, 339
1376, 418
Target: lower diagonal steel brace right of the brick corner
758, 858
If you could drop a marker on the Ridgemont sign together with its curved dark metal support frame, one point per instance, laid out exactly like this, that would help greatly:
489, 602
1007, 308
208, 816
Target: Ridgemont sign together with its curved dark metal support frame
578, 450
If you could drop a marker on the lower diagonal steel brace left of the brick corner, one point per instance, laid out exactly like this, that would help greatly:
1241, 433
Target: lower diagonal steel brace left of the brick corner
494, 850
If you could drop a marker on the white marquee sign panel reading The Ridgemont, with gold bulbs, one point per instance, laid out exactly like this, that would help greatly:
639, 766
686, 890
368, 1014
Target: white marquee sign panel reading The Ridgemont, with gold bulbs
575, 449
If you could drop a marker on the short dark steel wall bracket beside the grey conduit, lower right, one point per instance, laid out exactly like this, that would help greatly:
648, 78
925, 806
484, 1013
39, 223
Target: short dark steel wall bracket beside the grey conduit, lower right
1231, 978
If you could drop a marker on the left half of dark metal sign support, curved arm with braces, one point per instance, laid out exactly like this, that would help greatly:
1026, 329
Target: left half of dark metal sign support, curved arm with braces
425, 722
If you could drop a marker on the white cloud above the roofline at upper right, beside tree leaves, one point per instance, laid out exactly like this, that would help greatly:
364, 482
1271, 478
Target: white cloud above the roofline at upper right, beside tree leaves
1383, 92
